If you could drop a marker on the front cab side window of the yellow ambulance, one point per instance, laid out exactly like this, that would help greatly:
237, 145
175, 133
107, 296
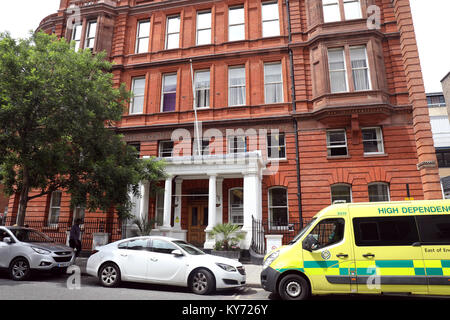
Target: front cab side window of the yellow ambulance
328, 232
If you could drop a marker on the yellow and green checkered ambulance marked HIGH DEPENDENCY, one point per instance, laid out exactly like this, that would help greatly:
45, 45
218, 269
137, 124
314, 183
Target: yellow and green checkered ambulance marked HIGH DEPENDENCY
366, 248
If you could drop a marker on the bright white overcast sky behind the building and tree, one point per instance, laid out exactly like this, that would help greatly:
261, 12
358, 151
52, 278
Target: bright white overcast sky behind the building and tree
431, 21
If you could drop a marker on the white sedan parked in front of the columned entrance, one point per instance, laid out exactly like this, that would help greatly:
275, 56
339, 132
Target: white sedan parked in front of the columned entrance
163, 260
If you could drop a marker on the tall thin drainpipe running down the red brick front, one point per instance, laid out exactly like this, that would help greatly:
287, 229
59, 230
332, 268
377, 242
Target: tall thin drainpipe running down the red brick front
295, 122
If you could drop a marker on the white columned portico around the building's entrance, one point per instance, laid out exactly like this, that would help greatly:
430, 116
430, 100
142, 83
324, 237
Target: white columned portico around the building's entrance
207, 208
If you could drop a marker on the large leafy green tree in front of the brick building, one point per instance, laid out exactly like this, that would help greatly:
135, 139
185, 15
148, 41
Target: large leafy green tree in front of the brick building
58, 108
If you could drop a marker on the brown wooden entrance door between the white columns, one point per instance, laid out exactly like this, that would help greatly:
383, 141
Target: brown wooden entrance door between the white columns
198, 220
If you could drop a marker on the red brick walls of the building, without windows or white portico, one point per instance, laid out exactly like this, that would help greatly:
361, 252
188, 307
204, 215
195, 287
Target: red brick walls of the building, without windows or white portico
394, 103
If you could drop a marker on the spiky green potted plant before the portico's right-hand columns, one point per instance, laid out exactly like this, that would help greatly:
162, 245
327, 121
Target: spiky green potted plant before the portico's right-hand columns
227, 238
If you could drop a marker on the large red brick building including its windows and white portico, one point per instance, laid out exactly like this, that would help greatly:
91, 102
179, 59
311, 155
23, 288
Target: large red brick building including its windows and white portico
301, 103
